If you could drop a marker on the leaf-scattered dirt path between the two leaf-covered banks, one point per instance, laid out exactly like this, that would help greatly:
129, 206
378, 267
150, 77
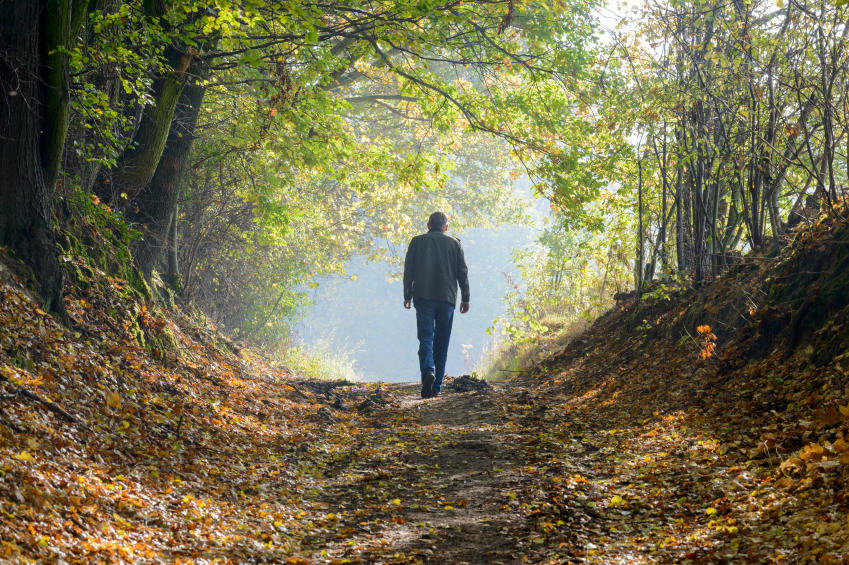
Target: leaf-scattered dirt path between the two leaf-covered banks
443, 480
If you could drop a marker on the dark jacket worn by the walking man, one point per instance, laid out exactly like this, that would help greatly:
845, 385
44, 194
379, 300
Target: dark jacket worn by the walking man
433, 268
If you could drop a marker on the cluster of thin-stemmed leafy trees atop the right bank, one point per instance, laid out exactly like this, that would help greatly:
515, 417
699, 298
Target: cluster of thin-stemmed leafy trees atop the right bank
726, 141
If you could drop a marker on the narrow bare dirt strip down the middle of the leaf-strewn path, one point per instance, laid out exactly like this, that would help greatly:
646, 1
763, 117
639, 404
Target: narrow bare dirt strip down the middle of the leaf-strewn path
474, 464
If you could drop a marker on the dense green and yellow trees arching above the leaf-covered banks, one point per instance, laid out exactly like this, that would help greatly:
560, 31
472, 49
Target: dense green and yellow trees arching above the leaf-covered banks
226, 156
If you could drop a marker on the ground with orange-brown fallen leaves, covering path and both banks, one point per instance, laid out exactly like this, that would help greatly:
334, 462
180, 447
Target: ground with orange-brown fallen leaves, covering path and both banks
693, 425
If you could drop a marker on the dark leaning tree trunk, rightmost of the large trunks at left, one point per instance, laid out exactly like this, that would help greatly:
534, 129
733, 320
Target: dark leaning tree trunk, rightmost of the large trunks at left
154, 207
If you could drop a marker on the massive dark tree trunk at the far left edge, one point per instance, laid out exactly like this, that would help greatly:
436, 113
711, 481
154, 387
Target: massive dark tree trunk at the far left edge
33, 127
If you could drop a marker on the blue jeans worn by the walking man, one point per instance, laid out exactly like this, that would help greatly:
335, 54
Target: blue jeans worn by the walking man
433, 321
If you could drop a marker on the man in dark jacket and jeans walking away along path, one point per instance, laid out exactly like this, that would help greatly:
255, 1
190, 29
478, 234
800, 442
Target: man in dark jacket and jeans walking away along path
433, 268
